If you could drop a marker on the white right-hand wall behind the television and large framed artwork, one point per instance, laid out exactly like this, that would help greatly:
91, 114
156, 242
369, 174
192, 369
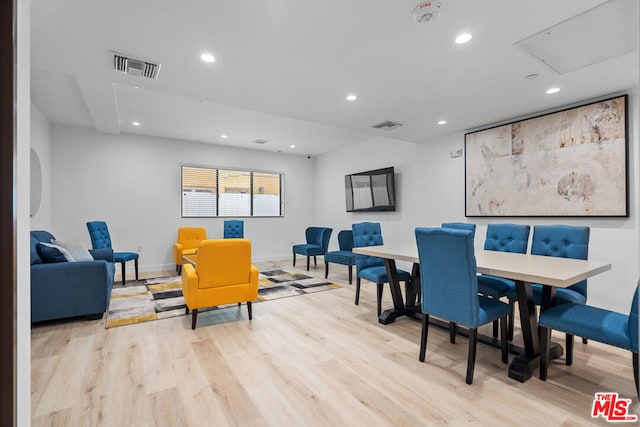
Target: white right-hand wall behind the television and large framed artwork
431, 191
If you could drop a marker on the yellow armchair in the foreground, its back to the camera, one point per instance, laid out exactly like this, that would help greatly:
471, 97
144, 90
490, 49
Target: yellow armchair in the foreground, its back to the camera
223, 274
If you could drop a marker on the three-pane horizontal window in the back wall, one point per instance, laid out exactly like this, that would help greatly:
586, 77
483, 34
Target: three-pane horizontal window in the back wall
211, 192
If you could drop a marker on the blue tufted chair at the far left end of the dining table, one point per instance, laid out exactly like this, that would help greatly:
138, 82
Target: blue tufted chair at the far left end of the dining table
369, 267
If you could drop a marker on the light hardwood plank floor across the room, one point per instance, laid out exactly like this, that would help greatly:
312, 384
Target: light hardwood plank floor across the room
313, 360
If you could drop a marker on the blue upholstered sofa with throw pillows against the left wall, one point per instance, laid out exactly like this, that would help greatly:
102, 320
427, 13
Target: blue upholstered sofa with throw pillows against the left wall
69, 289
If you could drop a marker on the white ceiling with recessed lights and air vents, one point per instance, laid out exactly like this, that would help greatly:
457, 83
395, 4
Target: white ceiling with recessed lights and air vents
283, 68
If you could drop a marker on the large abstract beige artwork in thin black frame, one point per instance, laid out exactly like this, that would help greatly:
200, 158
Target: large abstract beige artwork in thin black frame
569, 163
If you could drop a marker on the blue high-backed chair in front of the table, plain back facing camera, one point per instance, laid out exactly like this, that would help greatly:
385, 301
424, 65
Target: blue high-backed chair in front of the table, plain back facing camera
450, 288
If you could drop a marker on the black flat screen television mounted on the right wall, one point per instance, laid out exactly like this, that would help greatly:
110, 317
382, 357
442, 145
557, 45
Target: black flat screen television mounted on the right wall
370, 191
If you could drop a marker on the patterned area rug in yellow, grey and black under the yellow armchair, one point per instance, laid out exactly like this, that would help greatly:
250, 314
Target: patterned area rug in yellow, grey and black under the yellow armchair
162, 297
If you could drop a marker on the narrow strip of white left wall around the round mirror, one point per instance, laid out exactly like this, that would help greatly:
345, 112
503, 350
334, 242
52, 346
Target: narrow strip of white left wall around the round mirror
41, 144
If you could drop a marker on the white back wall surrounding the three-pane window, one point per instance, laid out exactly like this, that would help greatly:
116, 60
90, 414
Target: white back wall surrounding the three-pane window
134, 184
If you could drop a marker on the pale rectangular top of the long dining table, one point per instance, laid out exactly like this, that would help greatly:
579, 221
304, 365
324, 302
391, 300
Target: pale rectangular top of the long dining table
554, 271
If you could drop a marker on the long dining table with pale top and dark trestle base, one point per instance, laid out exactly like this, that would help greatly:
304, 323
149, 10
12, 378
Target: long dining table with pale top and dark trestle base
523, 269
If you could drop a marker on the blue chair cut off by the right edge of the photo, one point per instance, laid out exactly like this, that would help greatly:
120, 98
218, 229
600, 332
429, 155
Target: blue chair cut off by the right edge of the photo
605, 326
